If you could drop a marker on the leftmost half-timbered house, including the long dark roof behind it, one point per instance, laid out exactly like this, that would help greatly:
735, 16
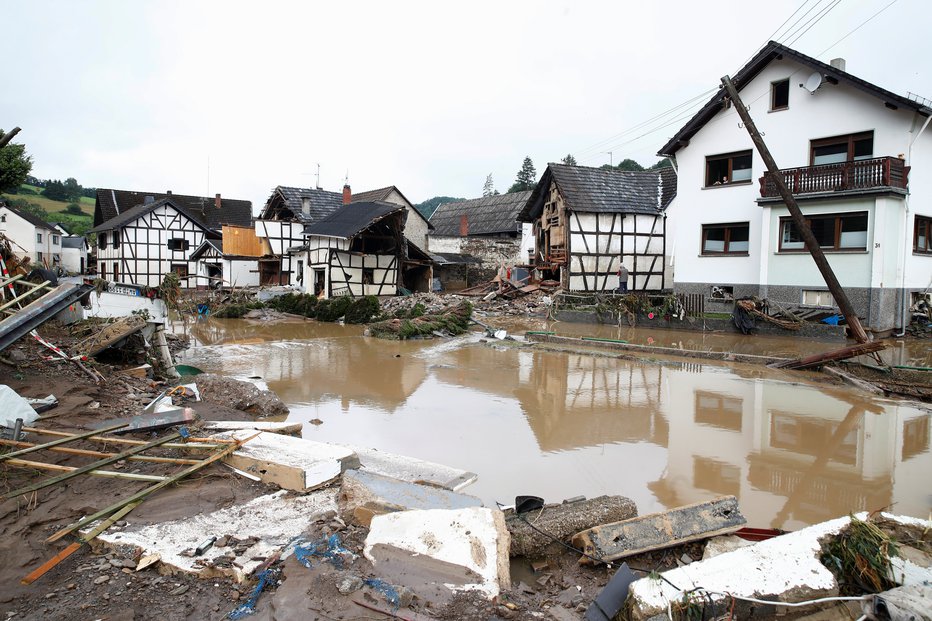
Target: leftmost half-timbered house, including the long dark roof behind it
142, 236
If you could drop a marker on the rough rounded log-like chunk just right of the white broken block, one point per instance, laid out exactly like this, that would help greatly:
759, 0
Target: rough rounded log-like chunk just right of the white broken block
563, 521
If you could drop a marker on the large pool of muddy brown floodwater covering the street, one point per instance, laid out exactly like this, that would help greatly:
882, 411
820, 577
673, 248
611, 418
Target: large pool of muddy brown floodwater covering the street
558, 425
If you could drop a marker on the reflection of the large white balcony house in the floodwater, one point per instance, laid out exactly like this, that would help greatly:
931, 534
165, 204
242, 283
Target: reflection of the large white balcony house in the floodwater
795, 455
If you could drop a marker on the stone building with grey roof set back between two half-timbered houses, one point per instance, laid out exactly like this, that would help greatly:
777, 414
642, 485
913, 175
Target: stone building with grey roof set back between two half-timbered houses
477, 236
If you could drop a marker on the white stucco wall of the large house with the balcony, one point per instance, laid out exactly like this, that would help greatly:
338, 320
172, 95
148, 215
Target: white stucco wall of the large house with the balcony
833, 110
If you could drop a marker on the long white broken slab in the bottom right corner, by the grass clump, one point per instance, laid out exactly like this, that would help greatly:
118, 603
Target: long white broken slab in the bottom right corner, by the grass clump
785, 568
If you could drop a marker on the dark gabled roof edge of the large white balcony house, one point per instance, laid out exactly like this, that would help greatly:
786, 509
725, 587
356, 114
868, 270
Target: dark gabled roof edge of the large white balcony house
746, 74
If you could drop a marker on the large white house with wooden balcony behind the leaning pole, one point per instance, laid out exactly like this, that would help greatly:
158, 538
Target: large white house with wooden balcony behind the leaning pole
850, 153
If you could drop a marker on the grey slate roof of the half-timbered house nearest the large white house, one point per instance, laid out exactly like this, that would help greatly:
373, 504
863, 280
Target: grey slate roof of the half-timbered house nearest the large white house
602, 190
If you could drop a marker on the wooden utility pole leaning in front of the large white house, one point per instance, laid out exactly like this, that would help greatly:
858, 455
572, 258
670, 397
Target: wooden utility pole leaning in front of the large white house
805, 232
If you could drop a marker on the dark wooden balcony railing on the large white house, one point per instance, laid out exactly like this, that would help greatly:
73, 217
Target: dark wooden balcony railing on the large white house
860, 175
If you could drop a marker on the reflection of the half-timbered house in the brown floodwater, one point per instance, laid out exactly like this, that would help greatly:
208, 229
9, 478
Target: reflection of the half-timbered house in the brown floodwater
570, 400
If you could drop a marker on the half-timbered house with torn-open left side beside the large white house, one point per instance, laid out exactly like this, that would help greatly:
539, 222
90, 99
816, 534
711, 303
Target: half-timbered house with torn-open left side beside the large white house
589, 222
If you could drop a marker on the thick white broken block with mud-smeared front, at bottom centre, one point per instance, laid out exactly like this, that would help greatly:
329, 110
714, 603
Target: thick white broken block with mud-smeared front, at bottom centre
439, 551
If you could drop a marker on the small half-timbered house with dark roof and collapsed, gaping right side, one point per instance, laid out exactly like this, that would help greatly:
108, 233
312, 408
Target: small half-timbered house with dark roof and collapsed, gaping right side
357, 250
